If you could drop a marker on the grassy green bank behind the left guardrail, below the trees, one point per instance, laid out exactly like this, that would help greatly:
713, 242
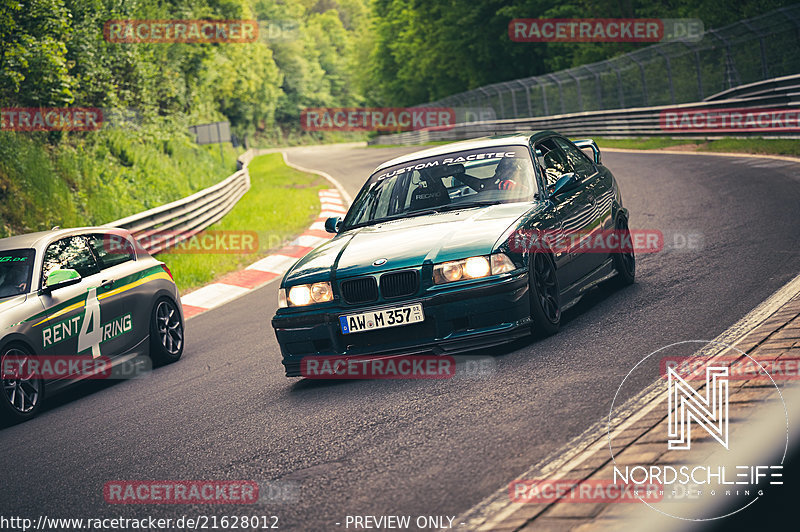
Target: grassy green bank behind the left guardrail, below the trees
103, 177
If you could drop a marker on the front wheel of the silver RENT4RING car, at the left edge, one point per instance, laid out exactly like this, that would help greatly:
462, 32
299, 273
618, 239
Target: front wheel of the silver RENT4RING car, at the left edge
22, 397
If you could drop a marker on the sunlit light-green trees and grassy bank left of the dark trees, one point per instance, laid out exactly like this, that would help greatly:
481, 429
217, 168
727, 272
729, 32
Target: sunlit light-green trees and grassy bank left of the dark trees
53, 53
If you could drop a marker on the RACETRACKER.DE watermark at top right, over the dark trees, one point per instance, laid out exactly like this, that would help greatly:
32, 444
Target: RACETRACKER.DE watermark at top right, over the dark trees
604, 30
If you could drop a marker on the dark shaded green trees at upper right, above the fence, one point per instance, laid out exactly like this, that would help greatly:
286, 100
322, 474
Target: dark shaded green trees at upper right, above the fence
423, 51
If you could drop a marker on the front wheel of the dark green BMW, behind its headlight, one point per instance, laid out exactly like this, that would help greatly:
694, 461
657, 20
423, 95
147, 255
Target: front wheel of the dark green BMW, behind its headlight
545, 296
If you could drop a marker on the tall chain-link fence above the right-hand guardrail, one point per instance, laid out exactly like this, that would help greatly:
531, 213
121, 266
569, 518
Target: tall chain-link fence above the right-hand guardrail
756, 49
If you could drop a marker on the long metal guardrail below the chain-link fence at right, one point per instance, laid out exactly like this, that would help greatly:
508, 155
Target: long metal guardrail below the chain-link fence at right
637, 122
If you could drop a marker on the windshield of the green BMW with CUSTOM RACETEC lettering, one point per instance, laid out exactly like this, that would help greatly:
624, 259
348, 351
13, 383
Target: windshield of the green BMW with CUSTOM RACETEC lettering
485, 176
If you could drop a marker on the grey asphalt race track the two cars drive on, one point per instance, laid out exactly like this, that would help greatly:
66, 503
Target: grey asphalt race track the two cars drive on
418, 447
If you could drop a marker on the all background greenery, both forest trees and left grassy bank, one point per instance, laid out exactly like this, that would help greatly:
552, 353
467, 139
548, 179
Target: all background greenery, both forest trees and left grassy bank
336, 53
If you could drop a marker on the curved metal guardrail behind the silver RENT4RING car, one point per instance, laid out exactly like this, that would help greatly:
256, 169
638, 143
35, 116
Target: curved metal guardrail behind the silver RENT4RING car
165, 226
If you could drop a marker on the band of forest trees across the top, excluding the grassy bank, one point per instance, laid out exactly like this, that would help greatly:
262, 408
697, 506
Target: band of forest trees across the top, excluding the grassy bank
342, 53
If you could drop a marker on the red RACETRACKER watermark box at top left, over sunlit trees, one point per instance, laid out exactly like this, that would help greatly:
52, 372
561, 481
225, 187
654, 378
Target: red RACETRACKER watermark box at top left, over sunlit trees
180, 31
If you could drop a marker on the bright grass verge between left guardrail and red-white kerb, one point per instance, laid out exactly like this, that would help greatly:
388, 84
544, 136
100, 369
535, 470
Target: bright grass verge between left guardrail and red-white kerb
281, 203
